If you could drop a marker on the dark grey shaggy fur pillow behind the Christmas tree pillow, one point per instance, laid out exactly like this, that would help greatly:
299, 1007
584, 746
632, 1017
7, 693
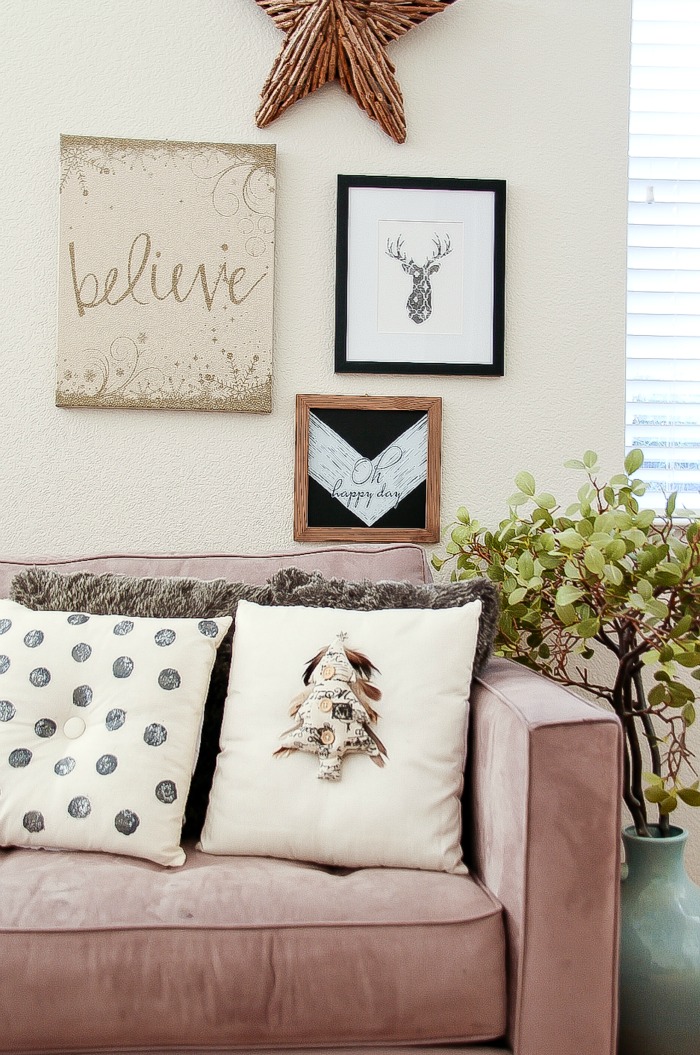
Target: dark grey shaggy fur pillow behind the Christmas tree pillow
291, 586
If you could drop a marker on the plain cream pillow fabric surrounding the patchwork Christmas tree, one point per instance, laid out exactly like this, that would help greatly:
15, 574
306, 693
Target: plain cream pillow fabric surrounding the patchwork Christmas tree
405, 814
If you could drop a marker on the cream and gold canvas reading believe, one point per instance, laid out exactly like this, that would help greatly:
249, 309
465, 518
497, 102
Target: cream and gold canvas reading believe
166, 275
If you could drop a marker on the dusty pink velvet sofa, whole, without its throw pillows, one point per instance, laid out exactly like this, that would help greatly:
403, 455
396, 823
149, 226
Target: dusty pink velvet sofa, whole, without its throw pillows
110, 954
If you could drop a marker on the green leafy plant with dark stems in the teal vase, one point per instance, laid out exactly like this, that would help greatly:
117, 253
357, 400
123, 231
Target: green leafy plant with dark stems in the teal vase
602, 574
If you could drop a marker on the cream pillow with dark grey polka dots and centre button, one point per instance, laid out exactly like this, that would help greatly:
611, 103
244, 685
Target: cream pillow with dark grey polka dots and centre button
100, 727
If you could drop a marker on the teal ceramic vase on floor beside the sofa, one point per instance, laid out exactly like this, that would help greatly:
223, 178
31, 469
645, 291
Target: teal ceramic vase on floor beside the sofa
659, 950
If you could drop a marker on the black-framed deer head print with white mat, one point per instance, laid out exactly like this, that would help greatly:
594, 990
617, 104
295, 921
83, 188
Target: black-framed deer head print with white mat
420, 276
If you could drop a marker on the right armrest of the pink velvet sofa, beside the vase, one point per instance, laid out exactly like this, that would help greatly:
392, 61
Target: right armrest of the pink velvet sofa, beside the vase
546, 794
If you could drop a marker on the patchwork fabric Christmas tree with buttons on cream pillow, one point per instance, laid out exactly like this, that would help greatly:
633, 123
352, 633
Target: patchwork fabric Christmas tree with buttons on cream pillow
335, 713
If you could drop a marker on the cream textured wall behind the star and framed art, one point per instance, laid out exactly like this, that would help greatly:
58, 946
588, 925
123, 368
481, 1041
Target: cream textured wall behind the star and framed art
531, 91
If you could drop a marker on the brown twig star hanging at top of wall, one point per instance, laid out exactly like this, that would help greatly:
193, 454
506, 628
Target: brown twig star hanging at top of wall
342, 41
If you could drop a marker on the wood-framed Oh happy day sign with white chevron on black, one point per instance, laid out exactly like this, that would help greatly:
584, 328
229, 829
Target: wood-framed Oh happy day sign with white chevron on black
367, 469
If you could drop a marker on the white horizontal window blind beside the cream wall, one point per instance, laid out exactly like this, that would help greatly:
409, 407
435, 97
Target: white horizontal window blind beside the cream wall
664, 254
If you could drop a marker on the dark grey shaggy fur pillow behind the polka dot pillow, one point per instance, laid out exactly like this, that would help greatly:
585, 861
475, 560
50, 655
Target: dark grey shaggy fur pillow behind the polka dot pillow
45, 590
